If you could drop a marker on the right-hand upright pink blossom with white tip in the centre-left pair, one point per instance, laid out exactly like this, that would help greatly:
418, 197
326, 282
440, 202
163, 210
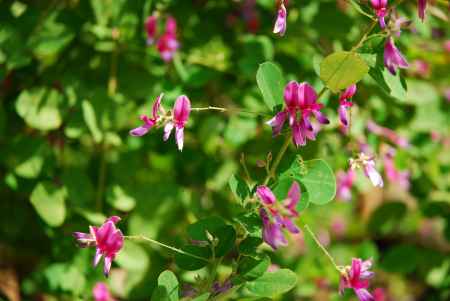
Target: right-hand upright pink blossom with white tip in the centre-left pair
180, 115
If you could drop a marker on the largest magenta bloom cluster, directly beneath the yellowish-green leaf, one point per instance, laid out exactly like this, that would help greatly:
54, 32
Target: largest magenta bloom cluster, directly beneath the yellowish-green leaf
301, 103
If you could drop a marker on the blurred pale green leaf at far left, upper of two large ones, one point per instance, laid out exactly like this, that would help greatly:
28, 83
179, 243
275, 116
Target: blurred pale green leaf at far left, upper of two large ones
40, 108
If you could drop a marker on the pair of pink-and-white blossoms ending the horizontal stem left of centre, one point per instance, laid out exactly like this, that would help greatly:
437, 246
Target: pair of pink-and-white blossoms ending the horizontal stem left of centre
177, 120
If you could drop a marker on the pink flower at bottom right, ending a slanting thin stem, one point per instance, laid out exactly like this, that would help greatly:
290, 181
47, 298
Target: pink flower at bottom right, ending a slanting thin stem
357, 277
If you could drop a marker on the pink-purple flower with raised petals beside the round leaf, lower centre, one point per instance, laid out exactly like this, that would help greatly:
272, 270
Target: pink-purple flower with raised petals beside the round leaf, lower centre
281, 214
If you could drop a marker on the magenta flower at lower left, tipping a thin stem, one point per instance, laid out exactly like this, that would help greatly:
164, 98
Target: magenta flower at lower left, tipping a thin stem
107, 239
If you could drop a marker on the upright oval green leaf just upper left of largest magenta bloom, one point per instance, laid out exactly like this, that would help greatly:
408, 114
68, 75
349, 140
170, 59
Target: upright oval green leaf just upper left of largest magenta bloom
270, 82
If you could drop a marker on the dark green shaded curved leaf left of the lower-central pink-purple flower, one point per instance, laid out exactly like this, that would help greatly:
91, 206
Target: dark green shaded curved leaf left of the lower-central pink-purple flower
218, 229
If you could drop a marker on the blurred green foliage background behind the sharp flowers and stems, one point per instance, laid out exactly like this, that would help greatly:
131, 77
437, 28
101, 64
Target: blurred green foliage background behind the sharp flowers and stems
75, 75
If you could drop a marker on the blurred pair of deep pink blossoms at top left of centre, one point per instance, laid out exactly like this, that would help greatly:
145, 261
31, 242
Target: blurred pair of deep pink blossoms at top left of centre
167, 44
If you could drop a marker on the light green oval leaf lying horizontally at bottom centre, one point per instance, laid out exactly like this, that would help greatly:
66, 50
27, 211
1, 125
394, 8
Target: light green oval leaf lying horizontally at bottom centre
272, 283
